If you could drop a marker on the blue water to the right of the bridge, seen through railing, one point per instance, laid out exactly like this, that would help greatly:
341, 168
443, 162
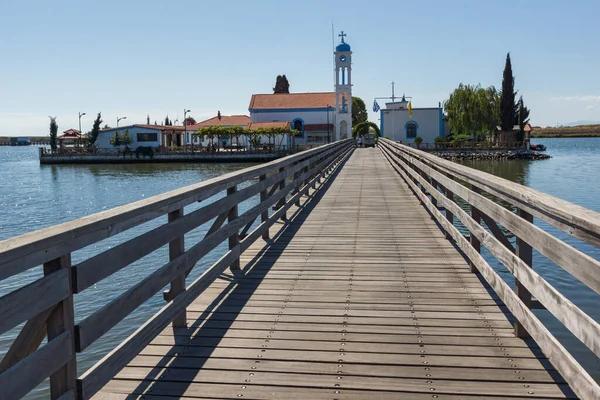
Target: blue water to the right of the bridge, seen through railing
572, 174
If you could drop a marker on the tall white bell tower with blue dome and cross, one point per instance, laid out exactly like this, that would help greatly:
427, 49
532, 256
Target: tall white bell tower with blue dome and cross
343, 88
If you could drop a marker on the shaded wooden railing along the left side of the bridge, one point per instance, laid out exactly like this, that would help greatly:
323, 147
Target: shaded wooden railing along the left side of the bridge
46, 305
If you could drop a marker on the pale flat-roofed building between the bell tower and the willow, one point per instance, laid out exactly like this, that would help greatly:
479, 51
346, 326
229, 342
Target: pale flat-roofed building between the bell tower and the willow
397, 124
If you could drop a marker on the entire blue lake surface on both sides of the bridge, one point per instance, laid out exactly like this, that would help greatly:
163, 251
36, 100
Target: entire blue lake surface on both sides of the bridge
33, 197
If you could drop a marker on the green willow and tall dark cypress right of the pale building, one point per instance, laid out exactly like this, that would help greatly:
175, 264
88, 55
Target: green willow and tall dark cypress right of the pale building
473, 110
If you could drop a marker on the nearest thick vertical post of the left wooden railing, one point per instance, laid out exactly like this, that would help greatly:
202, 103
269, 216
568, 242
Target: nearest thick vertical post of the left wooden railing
62, 319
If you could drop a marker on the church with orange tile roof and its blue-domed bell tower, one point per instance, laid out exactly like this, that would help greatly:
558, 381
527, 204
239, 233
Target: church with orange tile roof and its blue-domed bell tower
319, 117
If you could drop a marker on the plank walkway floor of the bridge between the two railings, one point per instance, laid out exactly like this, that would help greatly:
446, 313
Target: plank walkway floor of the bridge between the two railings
359, 296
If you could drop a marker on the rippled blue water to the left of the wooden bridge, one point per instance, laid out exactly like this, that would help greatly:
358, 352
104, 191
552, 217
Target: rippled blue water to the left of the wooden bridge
33, 197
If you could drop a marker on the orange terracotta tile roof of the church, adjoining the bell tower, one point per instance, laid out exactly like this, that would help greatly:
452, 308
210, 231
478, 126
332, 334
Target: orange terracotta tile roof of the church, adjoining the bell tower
292, 100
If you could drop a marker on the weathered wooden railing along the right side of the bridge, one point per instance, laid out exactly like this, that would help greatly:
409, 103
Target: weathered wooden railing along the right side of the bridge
438, 182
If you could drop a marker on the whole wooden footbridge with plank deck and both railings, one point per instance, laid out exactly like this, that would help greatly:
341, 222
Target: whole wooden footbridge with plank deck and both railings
344, 278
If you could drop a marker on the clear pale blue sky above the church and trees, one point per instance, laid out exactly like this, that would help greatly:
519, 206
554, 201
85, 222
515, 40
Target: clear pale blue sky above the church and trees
133, 58
